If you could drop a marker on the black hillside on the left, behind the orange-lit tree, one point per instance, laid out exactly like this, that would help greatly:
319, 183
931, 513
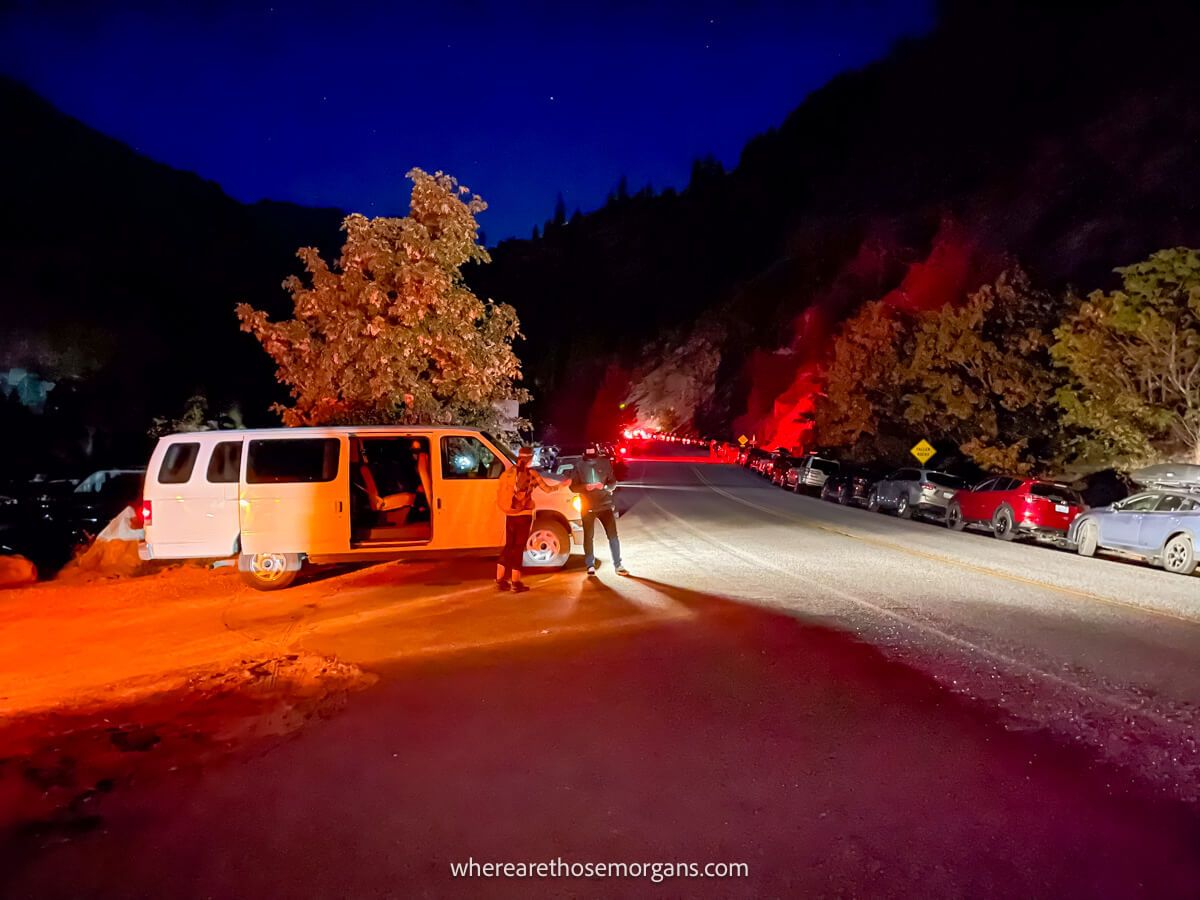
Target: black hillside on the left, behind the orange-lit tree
123, 269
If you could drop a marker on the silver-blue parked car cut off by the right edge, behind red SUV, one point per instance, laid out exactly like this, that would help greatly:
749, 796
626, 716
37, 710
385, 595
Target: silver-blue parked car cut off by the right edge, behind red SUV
1160, 526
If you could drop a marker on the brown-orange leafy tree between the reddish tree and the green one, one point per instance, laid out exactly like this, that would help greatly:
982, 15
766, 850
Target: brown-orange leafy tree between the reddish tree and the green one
980, 374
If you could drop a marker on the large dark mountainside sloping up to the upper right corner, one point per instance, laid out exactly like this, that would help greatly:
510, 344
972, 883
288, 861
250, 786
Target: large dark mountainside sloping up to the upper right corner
1065, 137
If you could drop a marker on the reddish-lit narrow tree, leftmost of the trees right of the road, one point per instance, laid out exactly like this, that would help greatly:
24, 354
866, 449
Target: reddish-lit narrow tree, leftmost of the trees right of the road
860, 379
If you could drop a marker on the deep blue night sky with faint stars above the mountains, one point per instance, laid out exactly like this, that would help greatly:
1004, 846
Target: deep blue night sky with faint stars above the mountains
331, 104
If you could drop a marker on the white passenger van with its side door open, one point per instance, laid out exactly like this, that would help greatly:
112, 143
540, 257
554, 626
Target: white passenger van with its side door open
281, 497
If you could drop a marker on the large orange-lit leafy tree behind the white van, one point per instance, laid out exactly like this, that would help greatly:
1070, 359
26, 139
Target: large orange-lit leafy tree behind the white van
392, 334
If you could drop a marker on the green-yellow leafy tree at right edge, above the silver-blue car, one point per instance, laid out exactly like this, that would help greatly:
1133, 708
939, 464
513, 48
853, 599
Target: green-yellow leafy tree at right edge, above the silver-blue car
1133, 363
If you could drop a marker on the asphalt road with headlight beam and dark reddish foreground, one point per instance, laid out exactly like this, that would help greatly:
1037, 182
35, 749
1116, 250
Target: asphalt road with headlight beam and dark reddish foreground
847, 703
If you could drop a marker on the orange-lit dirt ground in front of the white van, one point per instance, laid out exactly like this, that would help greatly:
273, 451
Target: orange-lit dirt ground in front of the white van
189, 663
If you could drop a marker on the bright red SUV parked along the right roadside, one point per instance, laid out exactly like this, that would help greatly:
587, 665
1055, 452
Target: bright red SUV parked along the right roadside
1015, 507
